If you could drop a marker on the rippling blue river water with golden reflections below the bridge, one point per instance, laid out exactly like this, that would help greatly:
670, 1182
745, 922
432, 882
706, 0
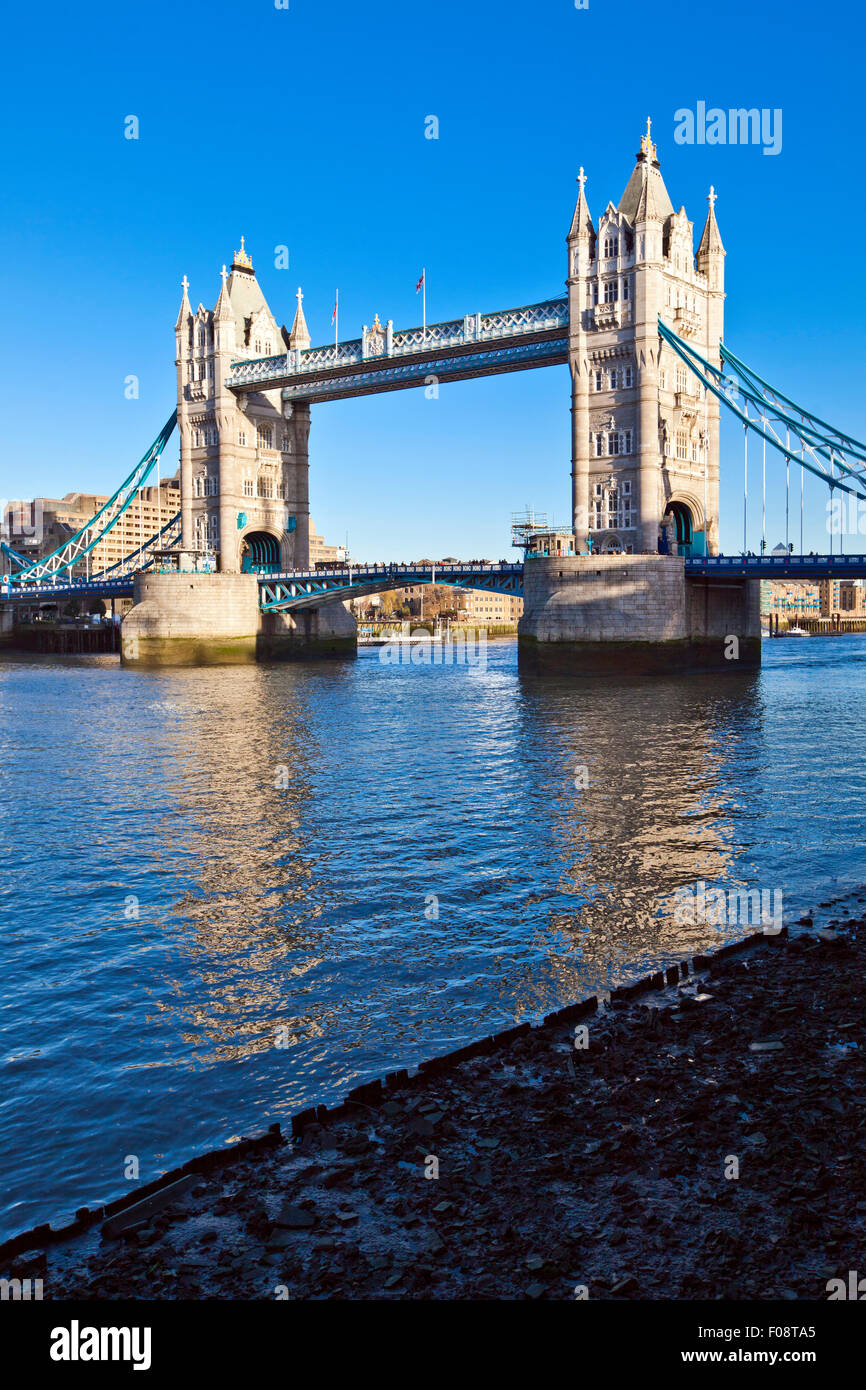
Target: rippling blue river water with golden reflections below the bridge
230, 893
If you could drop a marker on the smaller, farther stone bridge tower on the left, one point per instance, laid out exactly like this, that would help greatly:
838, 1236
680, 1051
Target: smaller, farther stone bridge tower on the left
244, 459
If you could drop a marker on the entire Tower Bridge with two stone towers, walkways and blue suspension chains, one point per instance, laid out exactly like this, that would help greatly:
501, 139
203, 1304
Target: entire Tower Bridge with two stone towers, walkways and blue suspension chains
637, 575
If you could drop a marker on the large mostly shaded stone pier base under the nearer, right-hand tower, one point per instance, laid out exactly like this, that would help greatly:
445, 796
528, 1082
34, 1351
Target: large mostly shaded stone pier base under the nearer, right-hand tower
596, 615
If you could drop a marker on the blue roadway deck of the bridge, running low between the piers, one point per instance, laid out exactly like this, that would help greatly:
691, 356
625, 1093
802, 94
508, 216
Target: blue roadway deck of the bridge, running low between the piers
305, 589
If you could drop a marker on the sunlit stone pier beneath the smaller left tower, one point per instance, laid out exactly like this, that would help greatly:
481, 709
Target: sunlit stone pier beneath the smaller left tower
188, 619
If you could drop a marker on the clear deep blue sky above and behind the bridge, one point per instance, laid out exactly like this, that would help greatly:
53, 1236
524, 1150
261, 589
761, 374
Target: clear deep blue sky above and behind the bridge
307, 127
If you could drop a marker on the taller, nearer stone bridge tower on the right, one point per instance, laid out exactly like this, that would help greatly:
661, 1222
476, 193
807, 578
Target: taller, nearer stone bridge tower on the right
644, 436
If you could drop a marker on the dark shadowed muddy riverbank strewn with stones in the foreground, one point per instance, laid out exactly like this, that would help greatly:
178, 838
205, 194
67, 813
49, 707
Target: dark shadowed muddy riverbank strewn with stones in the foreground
707, 1142
